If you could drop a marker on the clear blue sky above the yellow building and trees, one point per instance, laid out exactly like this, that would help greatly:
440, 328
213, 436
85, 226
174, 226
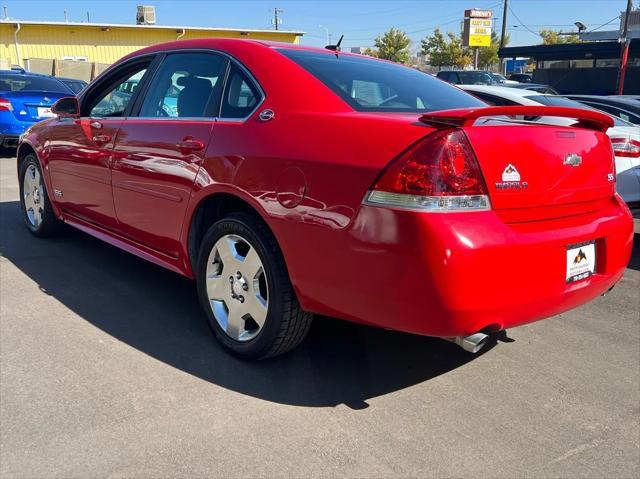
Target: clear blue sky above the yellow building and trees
359, 20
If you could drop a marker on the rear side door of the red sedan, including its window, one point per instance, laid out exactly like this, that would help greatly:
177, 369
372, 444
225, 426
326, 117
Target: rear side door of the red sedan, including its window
161, 146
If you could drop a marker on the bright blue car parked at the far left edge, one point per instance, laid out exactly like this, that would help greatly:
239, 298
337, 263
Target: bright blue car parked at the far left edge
25, 98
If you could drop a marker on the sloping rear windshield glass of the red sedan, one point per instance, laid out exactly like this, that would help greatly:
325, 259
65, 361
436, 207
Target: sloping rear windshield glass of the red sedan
373, 85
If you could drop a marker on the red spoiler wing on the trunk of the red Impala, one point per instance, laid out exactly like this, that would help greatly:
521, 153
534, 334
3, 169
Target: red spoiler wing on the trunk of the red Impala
591, 119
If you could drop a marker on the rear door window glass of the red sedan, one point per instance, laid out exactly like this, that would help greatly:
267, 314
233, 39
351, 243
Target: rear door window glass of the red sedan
187, 85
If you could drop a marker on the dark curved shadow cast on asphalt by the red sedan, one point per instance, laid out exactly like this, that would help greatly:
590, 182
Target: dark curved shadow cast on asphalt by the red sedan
157, 312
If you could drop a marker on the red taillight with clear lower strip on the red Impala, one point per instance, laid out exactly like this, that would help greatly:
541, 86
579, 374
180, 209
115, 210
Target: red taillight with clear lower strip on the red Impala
439, 173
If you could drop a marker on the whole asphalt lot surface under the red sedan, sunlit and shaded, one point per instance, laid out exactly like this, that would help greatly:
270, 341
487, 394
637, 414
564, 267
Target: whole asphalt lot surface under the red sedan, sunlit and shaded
107, 368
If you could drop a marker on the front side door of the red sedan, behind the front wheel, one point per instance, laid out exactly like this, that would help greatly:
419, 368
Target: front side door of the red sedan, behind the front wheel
80, 149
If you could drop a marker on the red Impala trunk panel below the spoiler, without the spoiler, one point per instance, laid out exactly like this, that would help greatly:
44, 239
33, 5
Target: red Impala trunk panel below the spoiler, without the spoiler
532, 166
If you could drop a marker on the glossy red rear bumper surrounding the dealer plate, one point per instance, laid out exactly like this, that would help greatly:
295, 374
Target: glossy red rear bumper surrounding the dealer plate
453, 274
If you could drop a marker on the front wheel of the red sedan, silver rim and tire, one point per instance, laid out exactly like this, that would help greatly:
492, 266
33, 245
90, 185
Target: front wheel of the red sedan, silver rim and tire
36, 208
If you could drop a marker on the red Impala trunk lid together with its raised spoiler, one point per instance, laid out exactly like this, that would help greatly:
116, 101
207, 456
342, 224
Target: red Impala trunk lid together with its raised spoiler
535, 172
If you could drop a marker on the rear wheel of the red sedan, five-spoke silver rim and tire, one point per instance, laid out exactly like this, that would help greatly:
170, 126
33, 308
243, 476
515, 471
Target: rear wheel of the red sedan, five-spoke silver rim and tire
245, 291
